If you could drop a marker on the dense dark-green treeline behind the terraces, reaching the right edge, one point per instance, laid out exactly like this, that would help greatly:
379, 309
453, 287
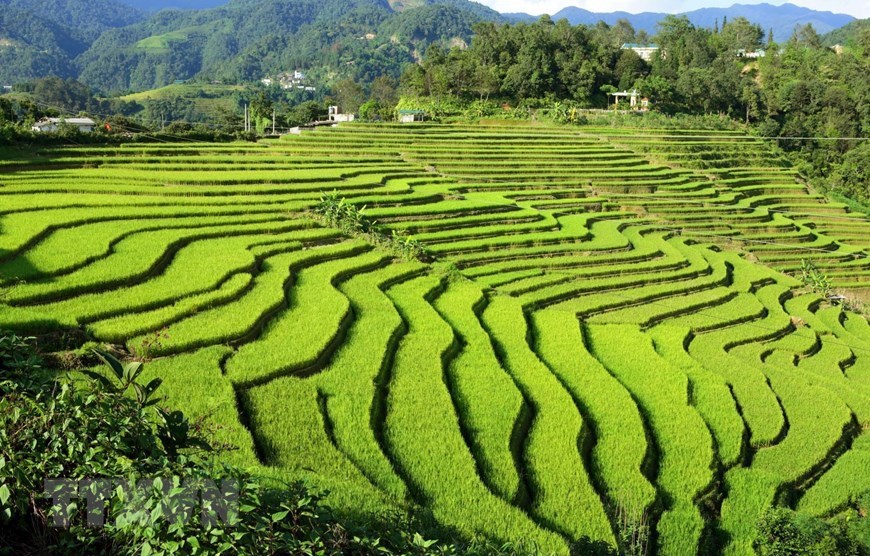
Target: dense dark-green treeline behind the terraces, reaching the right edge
812, 99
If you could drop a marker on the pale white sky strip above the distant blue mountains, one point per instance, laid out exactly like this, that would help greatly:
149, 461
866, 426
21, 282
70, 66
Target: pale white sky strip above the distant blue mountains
857, 8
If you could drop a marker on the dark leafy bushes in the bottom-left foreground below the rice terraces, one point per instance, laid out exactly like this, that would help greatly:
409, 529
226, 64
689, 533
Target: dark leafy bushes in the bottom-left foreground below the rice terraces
104, 433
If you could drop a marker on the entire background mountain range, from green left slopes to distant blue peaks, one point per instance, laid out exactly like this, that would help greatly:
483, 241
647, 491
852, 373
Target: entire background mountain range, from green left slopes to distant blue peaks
124, 45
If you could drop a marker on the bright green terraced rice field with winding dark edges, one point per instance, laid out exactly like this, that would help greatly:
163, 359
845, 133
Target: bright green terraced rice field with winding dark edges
604, 340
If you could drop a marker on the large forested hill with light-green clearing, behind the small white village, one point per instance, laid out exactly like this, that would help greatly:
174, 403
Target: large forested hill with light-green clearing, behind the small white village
249, 39
